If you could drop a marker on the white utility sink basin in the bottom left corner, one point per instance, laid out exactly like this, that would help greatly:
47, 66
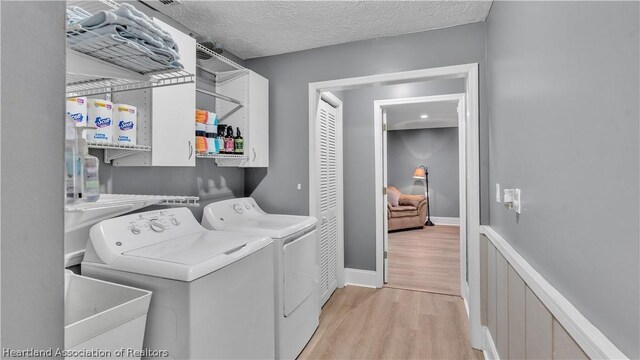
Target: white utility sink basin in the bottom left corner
103, 319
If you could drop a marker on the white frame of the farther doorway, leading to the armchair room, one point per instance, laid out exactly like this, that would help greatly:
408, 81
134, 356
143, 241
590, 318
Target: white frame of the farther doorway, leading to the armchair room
378, 106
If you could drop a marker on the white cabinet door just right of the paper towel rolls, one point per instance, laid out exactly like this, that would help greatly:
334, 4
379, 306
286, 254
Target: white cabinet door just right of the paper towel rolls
173, 112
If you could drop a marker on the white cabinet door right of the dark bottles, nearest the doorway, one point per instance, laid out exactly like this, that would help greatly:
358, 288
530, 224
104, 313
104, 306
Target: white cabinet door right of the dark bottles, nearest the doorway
257, 146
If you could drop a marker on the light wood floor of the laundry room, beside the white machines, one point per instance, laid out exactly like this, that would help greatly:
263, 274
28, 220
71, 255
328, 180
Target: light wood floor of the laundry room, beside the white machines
365, 323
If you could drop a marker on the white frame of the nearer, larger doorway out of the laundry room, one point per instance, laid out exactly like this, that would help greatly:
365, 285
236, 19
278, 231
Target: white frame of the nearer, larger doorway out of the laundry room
469, 72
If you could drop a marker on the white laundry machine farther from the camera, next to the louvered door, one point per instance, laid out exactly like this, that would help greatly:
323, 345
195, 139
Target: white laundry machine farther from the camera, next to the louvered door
296, 266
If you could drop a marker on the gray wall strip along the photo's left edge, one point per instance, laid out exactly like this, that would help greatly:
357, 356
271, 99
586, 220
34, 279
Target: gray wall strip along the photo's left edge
32, 162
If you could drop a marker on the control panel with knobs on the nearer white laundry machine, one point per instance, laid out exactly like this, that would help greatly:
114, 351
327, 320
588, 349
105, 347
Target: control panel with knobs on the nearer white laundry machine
114, 237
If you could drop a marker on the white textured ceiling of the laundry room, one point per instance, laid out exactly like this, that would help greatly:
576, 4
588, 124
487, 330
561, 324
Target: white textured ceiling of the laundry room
251, 29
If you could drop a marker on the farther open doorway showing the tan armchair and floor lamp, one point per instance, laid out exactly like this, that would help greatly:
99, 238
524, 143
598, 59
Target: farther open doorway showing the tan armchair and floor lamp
423, 170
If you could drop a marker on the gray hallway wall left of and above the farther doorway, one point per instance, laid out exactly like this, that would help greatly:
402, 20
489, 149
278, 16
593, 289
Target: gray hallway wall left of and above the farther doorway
359, 199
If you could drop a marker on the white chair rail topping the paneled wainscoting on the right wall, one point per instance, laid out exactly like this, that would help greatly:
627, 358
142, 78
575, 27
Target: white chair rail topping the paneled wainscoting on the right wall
593, 342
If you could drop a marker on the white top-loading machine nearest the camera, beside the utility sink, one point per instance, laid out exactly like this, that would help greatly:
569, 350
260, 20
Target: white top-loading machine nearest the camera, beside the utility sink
213, 292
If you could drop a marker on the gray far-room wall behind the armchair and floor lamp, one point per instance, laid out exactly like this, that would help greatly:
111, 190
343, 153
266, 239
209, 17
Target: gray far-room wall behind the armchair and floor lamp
438, 150
